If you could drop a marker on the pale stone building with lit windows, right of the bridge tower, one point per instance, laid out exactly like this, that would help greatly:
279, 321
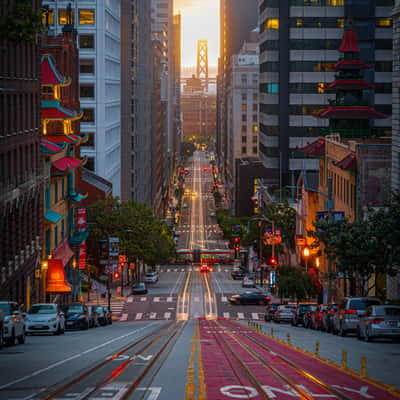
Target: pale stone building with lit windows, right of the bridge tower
242, 110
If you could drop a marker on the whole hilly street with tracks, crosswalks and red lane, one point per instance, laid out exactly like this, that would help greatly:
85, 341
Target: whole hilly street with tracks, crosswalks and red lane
184, 340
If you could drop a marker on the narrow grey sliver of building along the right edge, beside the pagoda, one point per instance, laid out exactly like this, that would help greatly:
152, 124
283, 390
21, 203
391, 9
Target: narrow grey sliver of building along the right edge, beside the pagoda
396, 99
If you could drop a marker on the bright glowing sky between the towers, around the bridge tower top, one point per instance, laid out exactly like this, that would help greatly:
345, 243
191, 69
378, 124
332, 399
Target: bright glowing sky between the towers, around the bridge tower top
200, 20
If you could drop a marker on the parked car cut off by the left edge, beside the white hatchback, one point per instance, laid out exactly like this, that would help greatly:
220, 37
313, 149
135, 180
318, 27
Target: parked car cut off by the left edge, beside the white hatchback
13, 323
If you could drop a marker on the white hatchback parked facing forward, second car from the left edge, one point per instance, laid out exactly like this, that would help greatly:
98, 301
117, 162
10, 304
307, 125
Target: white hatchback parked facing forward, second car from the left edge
44, 318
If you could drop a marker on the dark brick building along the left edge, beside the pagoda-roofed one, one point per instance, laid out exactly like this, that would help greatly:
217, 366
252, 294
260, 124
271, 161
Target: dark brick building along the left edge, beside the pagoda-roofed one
22, 174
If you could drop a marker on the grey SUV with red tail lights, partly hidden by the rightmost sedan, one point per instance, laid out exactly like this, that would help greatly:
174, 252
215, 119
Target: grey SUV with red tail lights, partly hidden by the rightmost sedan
348, 313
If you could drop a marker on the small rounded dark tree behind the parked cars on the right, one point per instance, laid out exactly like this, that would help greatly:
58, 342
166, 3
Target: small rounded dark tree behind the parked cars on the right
294, 283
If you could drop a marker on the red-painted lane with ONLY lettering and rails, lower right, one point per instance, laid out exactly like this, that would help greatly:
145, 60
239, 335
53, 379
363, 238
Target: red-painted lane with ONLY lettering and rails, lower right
240, 363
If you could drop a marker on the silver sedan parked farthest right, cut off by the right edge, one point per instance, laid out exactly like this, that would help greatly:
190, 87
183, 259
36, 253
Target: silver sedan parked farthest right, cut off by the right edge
379, 322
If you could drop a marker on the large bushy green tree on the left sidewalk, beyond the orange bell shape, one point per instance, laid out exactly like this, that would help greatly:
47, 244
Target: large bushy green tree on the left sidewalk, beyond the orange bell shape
141, 235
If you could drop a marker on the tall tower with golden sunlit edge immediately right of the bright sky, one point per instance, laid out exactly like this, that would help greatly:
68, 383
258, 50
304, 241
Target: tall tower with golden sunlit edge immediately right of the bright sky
238, 19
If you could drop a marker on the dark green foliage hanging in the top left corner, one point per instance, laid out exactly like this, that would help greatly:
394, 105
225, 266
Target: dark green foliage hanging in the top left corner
22, 23
